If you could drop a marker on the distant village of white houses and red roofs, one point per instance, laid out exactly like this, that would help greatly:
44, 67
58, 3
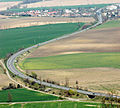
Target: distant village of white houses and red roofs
109, 12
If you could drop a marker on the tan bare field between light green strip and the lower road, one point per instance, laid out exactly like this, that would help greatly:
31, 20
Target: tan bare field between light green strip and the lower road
92, 78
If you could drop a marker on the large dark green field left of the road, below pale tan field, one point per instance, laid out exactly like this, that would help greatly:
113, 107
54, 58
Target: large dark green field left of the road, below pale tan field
13, 39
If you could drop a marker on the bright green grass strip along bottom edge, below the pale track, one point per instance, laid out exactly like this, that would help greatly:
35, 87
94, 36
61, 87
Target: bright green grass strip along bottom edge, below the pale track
53, 105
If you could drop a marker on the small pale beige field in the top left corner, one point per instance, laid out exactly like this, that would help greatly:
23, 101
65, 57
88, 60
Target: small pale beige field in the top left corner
5, 5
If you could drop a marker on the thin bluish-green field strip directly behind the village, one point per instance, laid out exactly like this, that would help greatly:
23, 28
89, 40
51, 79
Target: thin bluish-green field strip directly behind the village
59, 7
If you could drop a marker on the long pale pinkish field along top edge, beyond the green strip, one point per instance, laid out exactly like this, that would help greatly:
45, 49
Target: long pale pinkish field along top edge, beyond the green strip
69, 3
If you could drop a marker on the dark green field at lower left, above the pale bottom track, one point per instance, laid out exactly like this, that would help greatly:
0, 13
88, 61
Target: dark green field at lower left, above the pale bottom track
24, 95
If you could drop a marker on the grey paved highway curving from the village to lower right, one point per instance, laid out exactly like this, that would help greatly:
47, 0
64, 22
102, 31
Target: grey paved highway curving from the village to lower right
12, 68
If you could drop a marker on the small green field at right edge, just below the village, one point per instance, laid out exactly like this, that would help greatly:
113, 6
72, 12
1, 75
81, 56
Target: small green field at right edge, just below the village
109, 24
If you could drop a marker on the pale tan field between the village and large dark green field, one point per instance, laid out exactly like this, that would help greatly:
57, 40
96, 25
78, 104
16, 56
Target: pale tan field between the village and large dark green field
32, 21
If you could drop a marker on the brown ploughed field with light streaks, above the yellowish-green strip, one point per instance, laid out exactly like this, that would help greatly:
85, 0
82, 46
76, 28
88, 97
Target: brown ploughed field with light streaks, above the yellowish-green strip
102, 40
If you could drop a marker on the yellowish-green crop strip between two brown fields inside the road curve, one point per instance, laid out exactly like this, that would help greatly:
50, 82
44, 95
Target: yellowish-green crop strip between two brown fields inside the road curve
69, 61
